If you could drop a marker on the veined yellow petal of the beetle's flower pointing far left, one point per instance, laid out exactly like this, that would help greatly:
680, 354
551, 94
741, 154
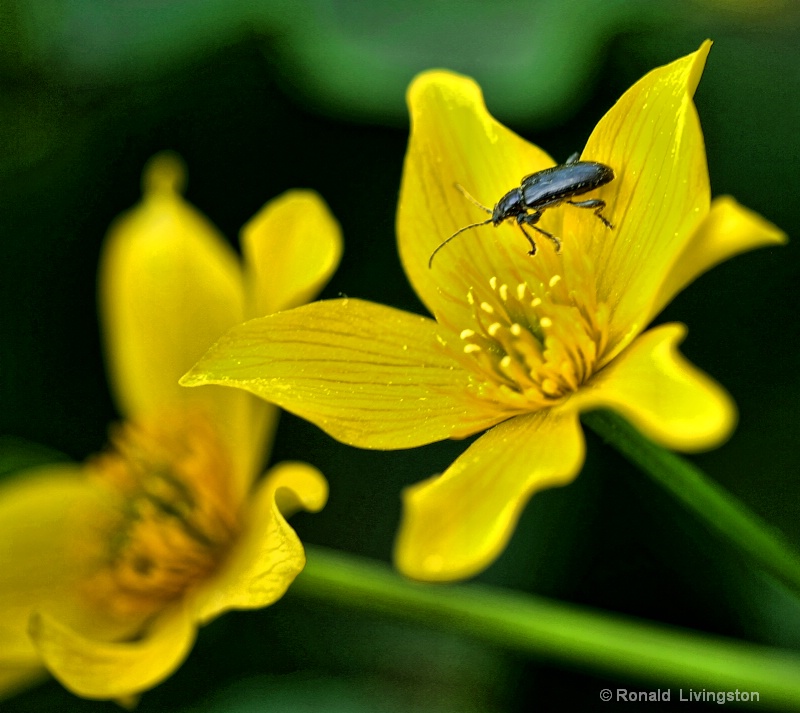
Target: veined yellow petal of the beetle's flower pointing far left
369, 375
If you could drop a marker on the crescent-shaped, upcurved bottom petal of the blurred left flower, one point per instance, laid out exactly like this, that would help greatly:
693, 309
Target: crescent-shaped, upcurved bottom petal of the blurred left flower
100, 670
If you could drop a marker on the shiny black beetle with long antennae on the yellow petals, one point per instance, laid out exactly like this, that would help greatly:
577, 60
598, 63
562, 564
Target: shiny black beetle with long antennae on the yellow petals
544, 189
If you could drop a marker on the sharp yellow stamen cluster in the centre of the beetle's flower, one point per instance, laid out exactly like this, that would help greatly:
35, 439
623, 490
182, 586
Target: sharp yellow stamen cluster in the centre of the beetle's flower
532, 342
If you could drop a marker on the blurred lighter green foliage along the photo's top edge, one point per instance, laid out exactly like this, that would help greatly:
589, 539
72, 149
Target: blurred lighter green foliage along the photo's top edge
351, 58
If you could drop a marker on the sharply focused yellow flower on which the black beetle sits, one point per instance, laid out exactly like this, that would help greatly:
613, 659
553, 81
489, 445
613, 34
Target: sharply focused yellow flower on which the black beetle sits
520, 345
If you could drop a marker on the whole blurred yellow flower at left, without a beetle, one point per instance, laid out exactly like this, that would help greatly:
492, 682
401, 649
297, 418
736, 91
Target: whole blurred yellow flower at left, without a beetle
107, 570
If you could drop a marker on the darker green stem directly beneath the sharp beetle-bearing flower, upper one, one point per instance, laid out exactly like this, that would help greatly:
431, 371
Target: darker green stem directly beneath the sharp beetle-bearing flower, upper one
717, 508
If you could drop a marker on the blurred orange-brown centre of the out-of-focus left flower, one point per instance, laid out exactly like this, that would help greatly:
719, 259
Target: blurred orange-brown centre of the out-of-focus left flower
175, 518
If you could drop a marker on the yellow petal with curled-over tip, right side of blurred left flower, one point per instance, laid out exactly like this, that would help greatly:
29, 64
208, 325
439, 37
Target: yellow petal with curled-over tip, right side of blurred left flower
268, 555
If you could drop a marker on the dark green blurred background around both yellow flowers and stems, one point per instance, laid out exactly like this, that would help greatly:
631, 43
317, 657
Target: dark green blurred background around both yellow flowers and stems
248, 96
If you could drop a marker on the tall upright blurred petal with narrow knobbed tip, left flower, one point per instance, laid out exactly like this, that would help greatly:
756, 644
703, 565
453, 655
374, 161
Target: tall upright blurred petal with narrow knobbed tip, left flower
169, 286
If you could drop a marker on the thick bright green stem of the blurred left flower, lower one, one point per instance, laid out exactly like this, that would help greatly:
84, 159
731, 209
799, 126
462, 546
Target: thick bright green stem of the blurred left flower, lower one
558, 632
